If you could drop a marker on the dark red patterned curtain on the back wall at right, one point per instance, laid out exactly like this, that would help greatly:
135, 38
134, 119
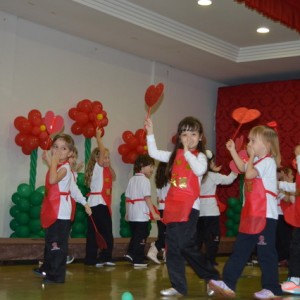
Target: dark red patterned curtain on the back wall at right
277, 101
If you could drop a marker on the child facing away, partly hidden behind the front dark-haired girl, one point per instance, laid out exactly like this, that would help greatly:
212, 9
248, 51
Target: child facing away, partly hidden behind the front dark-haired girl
208, 226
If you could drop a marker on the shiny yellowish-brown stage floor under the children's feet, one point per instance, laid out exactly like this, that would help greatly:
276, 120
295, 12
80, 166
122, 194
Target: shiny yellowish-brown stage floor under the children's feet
17, 281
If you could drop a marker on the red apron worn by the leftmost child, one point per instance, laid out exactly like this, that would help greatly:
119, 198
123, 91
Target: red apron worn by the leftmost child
51, 202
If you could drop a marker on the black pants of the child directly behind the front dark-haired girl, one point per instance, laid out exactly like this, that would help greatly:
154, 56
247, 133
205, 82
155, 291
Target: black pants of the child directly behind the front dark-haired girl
208, 234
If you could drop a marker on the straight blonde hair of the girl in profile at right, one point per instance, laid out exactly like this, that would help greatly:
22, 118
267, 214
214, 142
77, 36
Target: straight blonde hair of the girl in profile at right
270, 139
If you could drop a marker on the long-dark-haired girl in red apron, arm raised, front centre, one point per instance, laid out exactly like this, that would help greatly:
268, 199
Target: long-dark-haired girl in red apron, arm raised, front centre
186, 166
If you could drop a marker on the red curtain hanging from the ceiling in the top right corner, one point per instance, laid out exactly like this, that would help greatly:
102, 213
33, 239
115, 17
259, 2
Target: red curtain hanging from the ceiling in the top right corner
285, 11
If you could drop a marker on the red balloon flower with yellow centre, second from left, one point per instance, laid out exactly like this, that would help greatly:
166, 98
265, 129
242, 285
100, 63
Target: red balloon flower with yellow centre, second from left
88, 115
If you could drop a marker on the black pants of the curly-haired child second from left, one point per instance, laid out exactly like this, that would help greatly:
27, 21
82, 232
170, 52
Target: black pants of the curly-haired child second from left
102, 219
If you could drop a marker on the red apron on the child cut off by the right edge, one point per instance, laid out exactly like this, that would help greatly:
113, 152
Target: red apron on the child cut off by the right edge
291, 211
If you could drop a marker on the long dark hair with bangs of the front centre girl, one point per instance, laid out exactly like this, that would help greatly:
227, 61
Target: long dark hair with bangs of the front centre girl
187, 124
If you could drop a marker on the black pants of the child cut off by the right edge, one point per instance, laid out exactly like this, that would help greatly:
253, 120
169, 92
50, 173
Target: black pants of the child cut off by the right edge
294, 262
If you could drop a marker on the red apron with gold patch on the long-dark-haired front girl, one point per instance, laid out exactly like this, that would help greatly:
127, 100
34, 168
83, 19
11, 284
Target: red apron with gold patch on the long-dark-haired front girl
184, 190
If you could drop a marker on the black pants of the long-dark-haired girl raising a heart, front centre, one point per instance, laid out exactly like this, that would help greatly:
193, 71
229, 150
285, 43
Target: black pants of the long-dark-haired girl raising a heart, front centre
182, 245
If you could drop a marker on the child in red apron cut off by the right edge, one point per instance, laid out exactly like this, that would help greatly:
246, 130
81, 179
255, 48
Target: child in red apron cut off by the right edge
292, 285
